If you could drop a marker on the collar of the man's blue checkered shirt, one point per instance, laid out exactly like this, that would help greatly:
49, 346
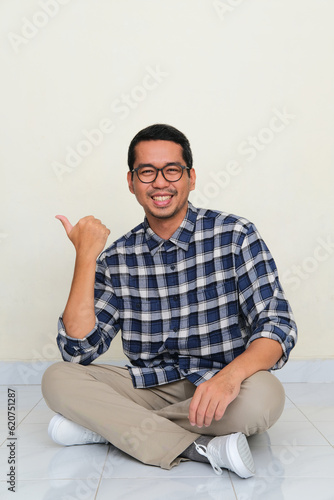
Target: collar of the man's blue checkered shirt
181, 237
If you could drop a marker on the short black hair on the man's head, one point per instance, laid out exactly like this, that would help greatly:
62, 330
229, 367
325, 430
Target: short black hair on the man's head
161, 132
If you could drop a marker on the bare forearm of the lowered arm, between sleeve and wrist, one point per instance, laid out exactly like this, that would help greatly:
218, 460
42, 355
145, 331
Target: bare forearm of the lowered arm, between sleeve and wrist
261, 354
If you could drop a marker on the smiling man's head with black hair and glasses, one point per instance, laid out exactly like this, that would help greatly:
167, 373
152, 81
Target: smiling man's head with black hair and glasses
161, 175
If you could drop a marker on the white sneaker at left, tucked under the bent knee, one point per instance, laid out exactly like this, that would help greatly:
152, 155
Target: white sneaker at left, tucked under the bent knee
65, 432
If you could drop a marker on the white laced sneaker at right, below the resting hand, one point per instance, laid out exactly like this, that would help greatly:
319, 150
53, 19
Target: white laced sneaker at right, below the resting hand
229, 452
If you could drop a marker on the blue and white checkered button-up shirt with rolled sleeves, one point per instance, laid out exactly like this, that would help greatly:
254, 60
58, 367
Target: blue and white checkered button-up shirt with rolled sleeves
186, 306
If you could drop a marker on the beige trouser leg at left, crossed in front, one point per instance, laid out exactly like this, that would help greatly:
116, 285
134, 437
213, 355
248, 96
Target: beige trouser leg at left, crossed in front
102, 398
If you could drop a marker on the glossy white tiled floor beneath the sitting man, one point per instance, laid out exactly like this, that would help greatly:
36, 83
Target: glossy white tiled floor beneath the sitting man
294, 460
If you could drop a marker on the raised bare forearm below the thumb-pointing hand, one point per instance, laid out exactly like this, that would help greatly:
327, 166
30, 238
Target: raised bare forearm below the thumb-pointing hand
79, 313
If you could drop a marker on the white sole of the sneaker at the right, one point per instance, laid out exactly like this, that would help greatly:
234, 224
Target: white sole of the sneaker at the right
240, 456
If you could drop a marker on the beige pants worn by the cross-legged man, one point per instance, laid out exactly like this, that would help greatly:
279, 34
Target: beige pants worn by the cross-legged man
152, 424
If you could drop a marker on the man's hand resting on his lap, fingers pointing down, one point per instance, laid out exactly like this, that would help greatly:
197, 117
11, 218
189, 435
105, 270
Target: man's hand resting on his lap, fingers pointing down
212, 397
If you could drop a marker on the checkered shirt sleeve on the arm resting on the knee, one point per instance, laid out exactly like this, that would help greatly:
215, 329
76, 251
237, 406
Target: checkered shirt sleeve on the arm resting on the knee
262, 300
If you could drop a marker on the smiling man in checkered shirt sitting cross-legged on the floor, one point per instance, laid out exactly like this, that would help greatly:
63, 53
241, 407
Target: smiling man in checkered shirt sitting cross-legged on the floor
203, 318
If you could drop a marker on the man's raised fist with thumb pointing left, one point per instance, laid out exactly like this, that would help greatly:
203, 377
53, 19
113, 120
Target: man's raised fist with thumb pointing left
88, 236
